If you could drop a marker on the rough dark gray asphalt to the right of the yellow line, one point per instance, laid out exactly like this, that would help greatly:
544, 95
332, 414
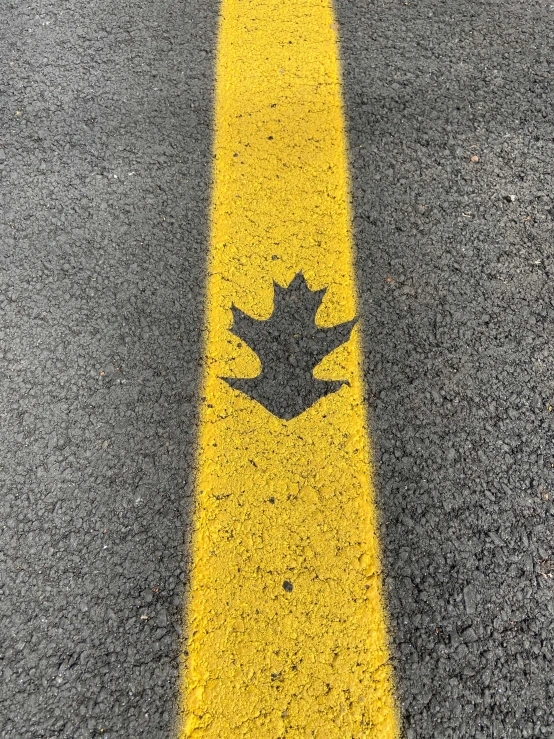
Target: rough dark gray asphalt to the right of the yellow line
450, 113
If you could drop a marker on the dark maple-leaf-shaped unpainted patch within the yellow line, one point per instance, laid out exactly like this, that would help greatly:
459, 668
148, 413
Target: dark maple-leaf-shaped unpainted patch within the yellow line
289, 345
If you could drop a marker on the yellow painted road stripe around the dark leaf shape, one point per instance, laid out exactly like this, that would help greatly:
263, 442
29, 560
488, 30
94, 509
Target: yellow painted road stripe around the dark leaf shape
282, 504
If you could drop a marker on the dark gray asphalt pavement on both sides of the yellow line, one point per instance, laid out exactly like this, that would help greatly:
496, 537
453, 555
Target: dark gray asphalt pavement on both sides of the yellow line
104, 179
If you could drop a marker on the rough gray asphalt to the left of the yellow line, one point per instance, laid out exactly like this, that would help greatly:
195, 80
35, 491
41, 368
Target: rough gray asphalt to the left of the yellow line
105, 167
